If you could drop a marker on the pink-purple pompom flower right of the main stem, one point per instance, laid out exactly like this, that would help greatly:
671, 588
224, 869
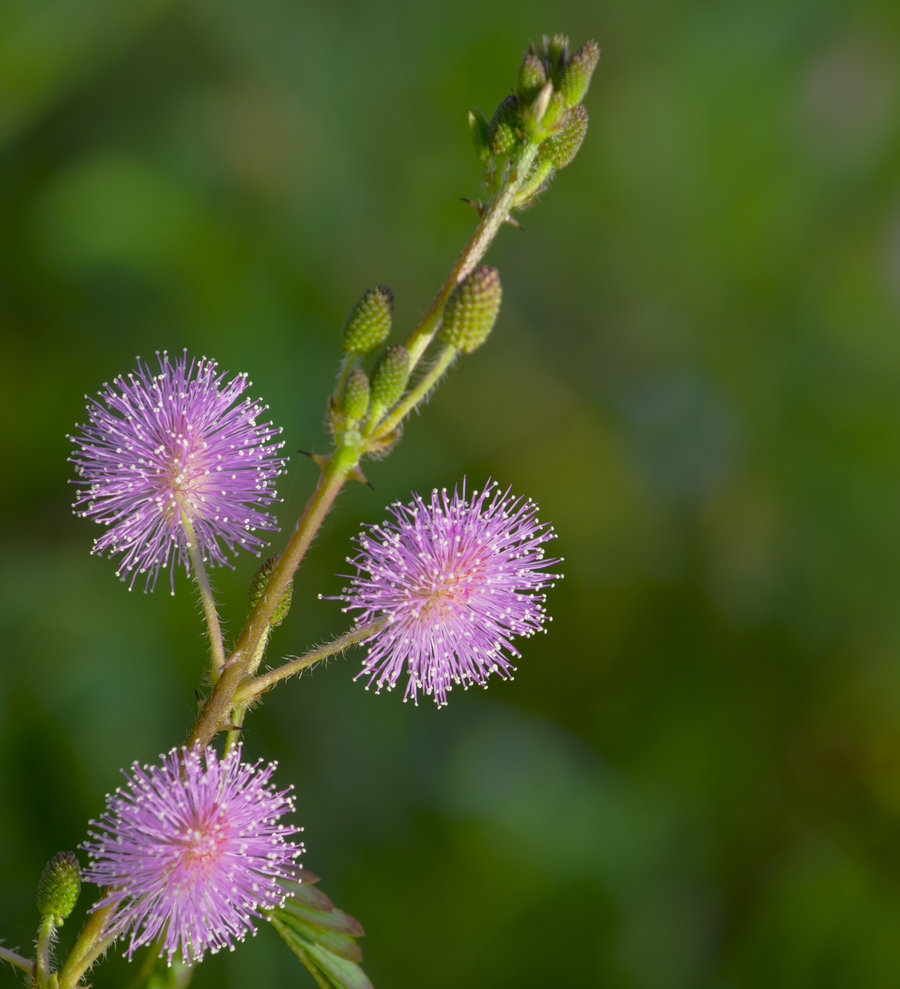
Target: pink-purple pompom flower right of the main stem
456, 578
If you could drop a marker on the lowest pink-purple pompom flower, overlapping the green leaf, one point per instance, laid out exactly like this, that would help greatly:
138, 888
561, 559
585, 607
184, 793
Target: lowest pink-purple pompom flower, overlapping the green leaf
191, 850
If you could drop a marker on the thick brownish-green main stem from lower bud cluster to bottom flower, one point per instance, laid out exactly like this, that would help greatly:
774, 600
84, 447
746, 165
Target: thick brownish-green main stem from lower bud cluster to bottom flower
339, 466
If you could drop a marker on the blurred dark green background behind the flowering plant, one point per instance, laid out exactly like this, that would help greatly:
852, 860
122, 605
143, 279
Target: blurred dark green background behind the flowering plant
694, 780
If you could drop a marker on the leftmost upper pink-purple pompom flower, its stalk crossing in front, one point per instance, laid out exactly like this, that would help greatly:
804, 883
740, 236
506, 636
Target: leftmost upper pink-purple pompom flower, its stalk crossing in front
169, 454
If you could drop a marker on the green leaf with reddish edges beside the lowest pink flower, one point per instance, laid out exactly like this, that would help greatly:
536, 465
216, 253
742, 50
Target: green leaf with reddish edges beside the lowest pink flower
321, 936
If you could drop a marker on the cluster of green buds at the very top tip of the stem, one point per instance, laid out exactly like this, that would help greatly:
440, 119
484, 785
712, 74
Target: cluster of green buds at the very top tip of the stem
545, 108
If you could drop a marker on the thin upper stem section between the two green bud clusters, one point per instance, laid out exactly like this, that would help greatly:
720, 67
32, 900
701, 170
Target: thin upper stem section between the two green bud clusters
491, 220
